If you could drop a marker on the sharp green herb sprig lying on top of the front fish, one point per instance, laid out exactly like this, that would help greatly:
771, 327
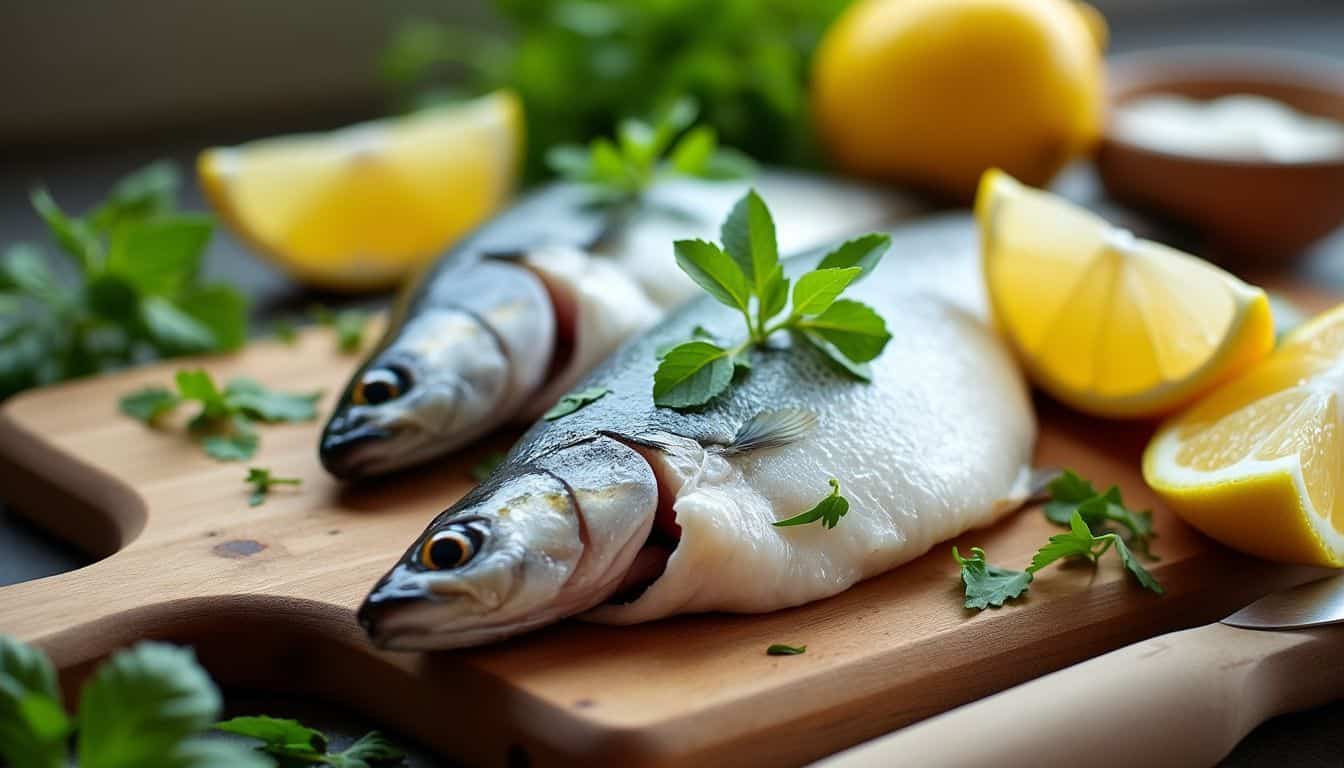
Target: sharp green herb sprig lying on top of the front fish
747, 275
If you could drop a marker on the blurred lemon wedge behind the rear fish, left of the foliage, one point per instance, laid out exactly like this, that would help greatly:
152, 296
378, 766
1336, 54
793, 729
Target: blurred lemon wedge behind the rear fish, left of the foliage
361, 208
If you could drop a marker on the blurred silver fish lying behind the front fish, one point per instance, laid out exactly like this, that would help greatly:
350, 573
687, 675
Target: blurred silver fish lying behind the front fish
513, 317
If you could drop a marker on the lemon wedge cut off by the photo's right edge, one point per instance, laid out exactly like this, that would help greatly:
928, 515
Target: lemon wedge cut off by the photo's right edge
1260, 465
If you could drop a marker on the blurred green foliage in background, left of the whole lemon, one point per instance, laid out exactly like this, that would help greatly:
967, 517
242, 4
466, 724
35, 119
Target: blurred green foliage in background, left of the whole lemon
583, 65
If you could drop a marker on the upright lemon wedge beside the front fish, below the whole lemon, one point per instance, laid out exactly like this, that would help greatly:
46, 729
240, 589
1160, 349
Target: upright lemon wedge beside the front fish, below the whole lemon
1108, 323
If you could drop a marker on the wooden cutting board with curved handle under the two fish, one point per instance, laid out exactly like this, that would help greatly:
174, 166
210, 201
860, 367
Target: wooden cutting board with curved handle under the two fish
267, 595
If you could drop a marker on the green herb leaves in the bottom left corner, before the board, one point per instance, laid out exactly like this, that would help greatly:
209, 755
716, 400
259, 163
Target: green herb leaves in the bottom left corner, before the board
150, 707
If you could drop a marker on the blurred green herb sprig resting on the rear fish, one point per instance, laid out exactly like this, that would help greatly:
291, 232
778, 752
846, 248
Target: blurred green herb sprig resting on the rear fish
620, 171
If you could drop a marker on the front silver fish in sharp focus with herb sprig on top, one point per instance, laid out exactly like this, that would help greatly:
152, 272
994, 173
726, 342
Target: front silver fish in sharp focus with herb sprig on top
624, 512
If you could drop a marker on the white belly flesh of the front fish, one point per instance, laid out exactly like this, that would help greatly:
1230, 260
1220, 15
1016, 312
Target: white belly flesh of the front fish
940, 443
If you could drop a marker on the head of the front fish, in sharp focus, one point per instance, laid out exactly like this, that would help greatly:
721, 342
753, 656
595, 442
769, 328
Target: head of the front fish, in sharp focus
519, 552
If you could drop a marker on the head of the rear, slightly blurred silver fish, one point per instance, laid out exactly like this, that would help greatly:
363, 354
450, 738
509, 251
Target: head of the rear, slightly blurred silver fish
436, 387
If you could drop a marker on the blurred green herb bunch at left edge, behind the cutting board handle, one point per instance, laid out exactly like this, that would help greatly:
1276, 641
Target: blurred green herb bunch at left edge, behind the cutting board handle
128, 291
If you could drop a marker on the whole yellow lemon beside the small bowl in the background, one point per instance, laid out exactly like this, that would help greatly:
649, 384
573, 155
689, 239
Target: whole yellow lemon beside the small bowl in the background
937, 92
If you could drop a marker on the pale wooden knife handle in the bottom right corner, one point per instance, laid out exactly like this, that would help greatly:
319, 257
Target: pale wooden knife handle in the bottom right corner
1178, 700
